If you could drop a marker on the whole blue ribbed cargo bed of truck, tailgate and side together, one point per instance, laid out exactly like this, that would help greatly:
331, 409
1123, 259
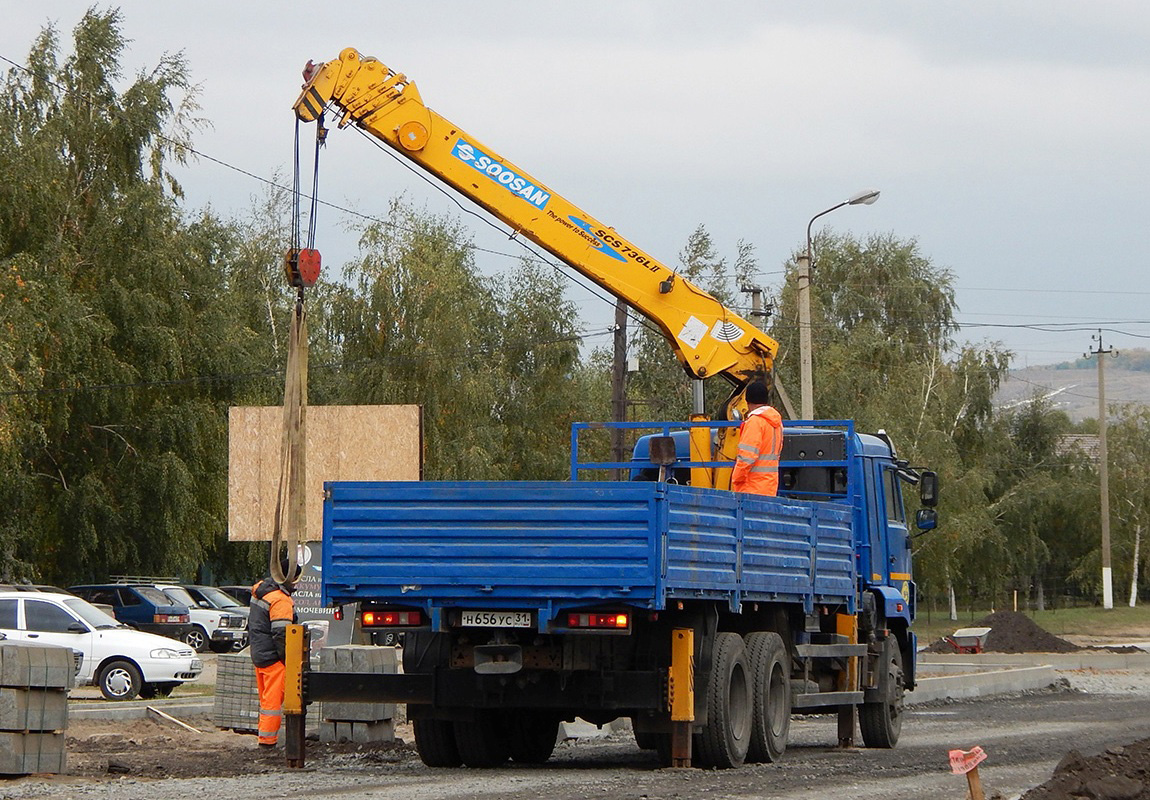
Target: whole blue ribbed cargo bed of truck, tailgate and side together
553, 545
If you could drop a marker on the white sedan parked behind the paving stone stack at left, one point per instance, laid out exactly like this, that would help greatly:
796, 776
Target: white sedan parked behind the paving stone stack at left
121, 661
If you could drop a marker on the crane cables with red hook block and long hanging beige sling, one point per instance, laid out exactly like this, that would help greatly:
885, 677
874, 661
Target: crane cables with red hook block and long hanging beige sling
302, 268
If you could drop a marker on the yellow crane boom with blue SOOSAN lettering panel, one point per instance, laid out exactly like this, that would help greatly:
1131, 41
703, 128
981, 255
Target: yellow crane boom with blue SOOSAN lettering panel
709, 339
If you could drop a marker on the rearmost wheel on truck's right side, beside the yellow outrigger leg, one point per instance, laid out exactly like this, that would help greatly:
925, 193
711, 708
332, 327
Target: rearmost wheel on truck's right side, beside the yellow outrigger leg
725, 741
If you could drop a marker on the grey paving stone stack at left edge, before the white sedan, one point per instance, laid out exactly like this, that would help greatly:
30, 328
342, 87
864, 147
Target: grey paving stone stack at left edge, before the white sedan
34, 707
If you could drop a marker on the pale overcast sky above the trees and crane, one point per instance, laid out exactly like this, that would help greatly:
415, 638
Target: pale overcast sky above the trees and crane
1008, 139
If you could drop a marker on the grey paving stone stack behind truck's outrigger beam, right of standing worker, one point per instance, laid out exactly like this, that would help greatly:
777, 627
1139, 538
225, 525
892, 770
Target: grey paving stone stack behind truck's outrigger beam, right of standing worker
358, 722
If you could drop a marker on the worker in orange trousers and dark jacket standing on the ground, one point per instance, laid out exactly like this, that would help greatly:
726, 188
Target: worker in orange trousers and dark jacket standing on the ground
272, 611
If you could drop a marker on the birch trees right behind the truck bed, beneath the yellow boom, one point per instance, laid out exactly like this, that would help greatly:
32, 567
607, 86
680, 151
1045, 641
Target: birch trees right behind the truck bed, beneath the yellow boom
494, 363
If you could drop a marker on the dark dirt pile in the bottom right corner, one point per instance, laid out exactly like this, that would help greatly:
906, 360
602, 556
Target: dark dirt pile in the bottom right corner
1120, 774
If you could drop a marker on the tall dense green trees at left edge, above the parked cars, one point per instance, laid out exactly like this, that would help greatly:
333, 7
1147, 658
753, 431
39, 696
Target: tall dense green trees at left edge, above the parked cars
109, 437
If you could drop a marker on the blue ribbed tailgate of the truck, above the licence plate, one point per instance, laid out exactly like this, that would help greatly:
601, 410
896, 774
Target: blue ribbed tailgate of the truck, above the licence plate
504, 543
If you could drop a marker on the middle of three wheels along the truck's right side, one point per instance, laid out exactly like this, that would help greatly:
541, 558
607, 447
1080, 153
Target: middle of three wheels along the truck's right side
771, 696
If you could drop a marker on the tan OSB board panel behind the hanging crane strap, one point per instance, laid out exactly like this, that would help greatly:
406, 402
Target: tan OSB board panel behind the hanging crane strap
344, 443
